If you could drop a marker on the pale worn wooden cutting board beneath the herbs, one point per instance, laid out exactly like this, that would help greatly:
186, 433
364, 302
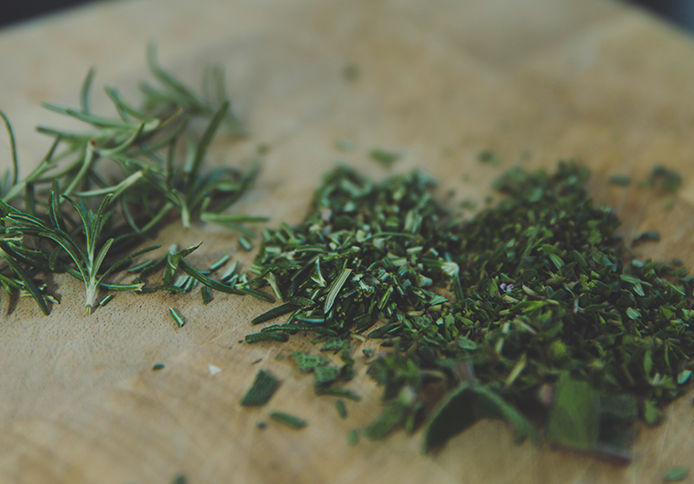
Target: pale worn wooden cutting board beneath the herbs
535, 81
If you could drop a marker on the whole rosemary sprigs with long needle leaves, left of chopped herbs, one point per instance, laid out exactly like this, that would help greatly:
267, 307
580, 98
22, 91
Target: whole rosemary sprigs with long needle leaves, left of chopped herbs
100, 192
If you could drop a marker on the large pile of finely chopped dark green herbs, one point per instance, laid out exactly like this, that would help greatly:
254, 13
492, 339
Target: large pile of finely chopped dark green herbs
533, 310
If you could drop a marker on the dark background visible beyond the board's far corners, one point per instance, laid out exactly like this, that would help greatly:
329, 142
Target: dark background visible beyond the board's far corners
680, 12
